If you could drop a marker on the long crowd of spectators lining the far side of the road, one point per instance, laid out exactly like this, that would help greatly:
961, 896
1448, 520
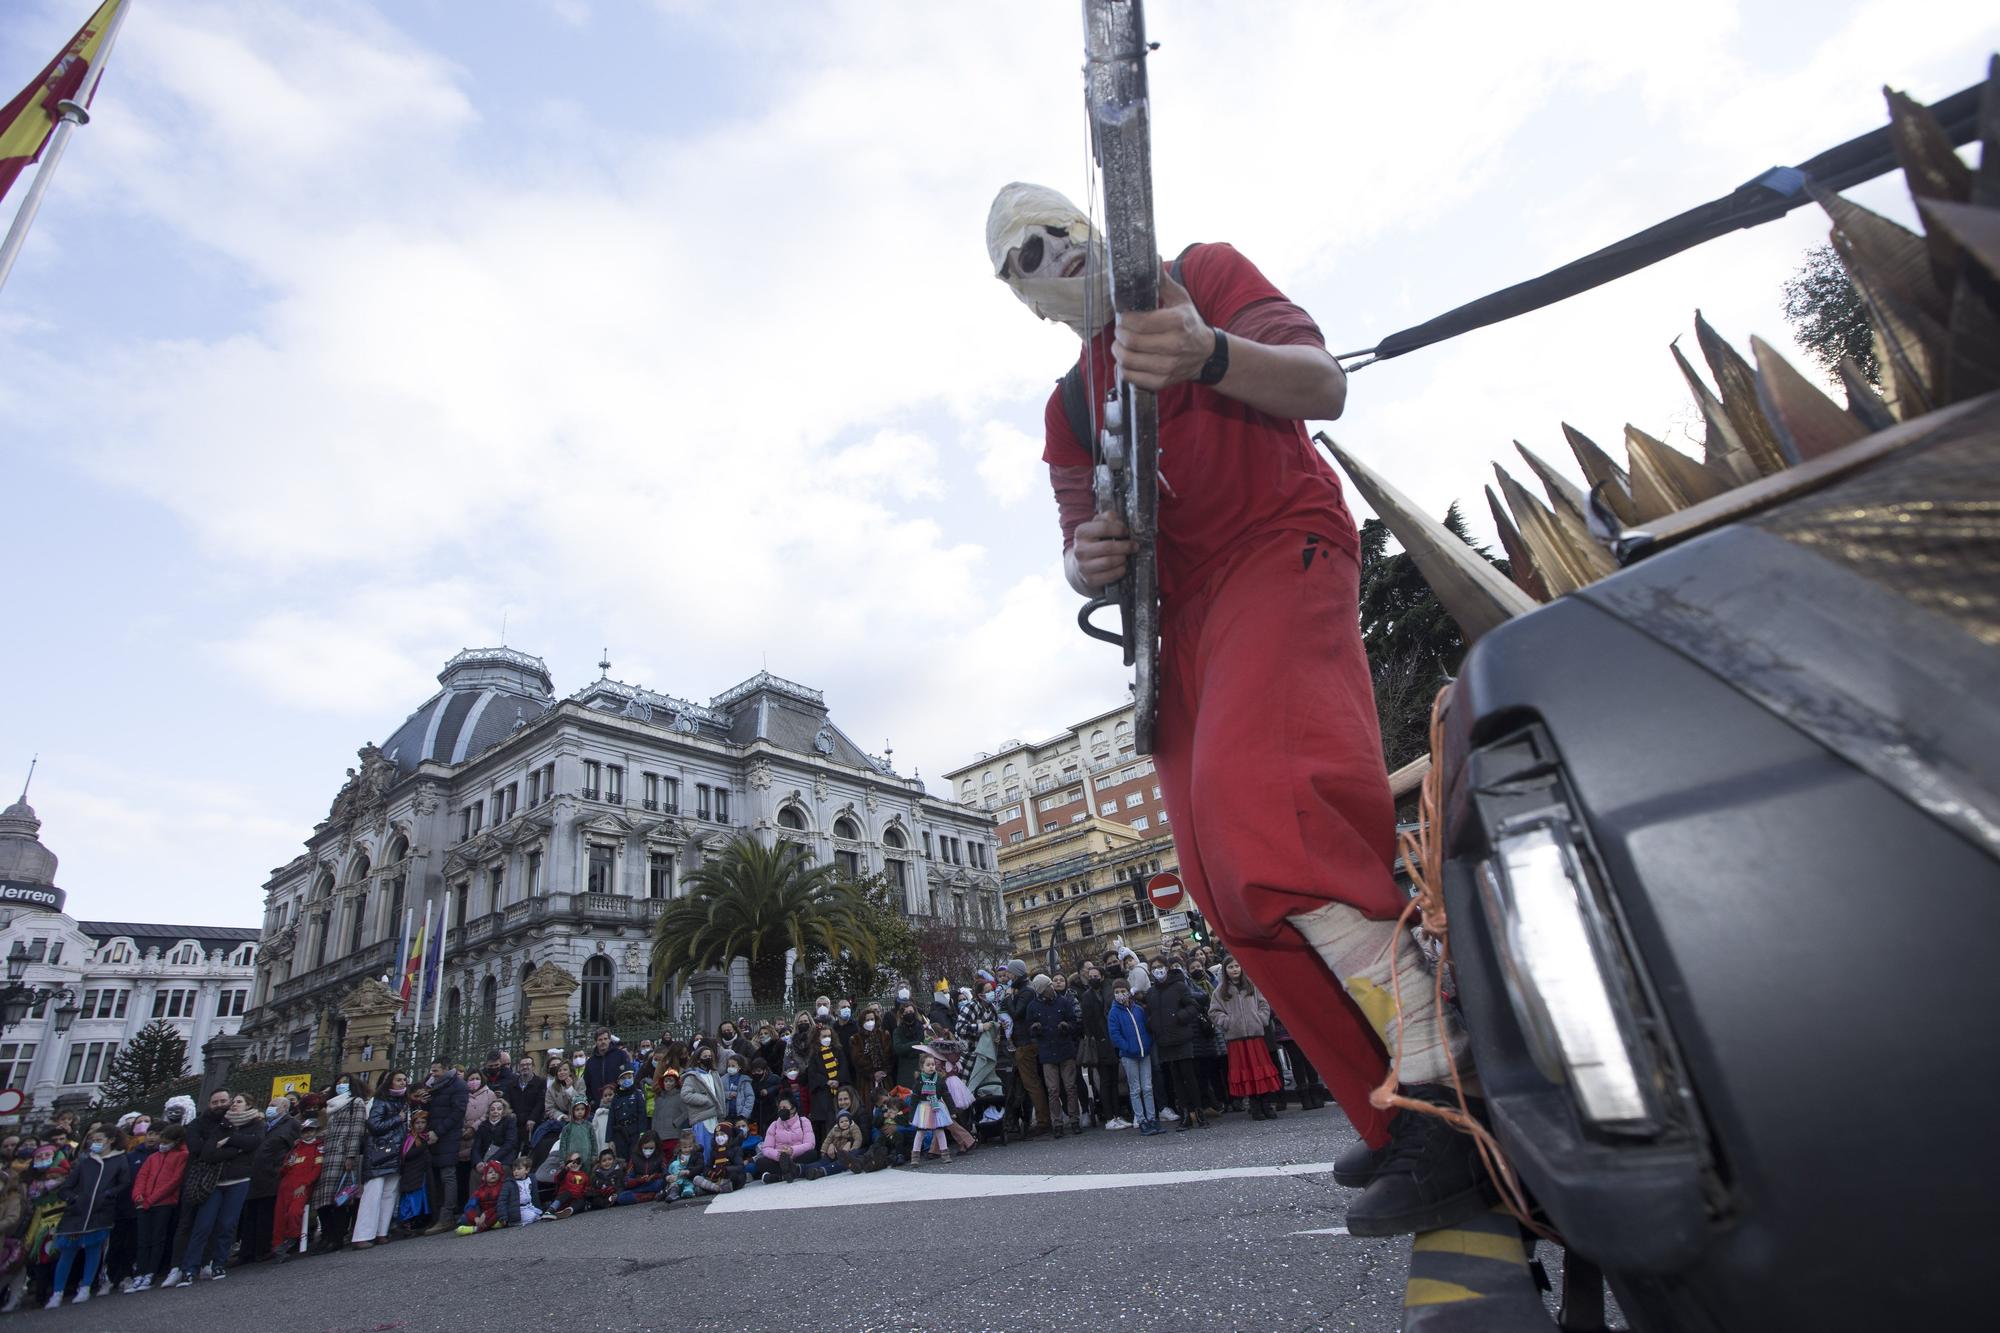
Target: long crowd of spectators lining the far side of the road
841, 1088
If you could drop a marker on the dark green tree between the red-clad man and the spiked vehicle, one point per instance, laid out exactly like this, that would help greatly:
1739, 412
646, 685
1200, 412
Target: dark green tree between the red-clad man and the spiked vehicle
1413, 645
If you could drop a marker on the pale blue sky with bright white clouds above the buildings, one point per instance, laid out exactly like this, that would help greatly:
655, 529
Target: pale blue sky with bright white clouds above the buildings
351, 329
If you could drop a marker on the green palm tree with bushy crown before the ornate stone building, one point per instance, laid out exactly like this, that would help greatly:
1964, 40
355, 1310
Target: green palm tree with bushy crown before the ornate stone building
755, 902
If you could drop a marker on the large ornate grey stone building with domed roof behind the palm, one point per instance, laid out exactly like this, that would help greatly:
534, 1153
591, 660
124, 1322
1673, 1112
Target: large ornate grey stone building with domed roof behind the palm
561, 828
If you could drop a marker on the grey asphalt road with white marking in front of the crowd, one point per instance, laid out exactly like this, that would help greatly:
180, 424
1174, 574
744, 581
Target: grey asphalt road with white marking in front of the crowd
1037, 1236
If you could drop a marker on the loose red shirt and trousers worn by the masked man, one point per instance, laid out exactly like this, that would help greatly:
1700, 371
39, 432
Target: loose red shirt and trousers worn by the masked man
1267, 746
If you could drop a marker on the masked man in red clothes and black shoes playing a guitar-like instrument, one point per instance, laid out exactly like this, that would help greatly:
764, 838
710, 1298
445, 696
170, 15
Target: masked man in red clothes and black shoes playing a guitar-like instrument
1267, 742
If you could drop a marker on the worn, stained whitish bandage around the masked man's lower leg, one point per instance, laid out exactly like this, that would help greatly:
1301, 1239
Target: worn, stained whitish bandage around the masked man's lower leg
1359, 952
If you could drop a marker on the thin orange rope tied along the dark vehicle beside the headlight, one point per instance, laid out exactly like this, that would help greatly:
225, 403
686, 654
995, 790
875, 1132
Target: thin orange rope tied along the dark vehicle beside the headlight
1423, 854
